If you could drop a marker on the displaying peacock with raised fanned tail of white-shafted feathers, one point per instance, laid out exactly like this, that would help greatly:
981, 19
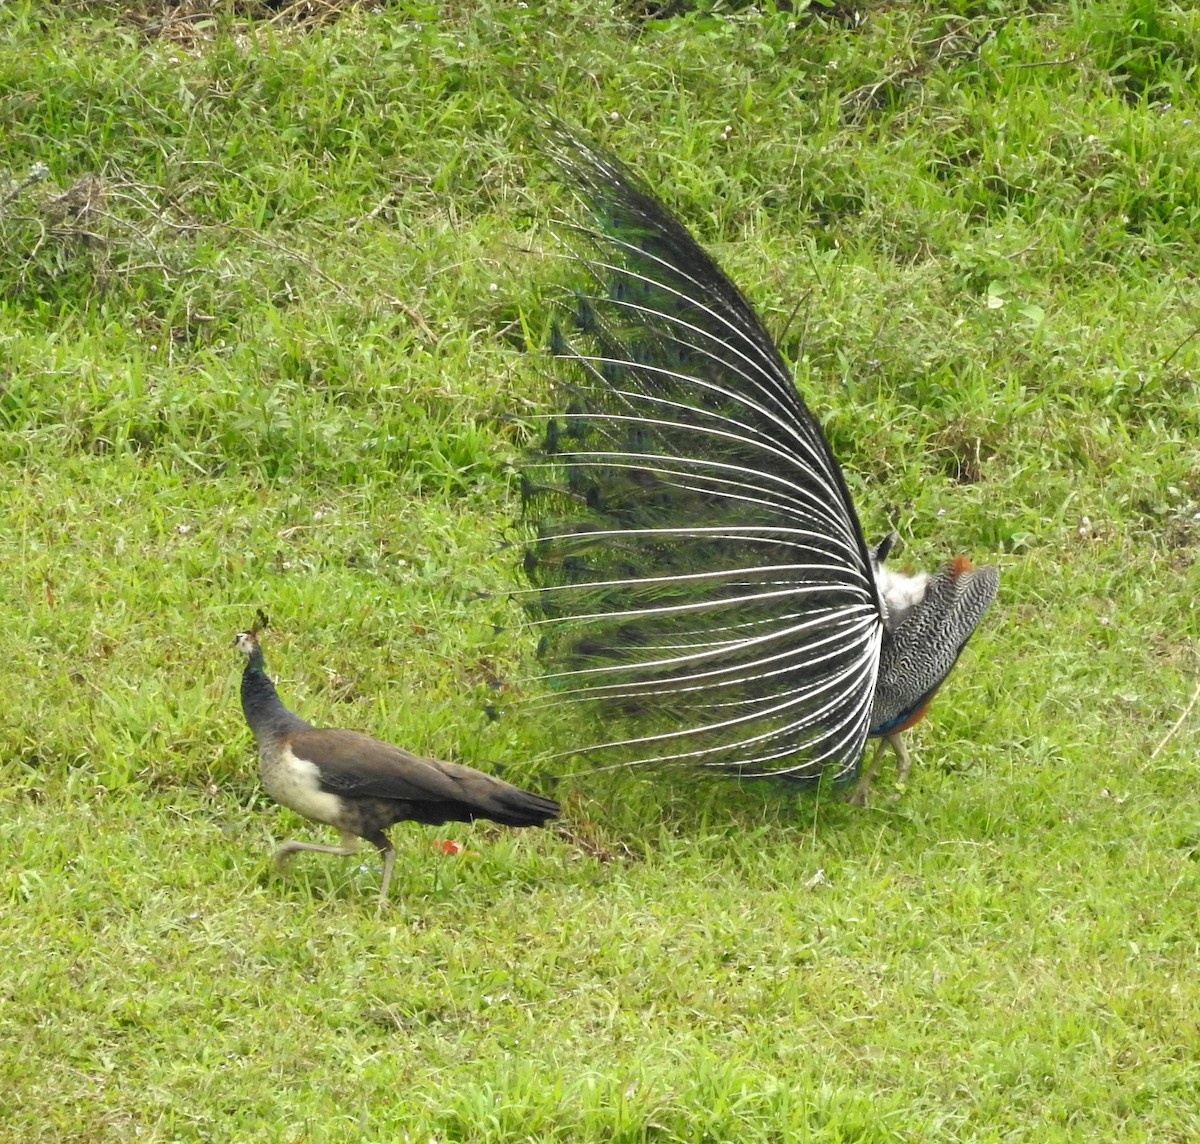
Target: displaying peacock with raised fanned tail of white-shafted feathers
699, 573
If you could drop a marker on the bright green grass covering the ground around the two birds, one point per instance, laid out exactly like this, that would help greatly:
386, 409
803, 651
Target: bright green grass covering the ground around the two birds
265, 321
